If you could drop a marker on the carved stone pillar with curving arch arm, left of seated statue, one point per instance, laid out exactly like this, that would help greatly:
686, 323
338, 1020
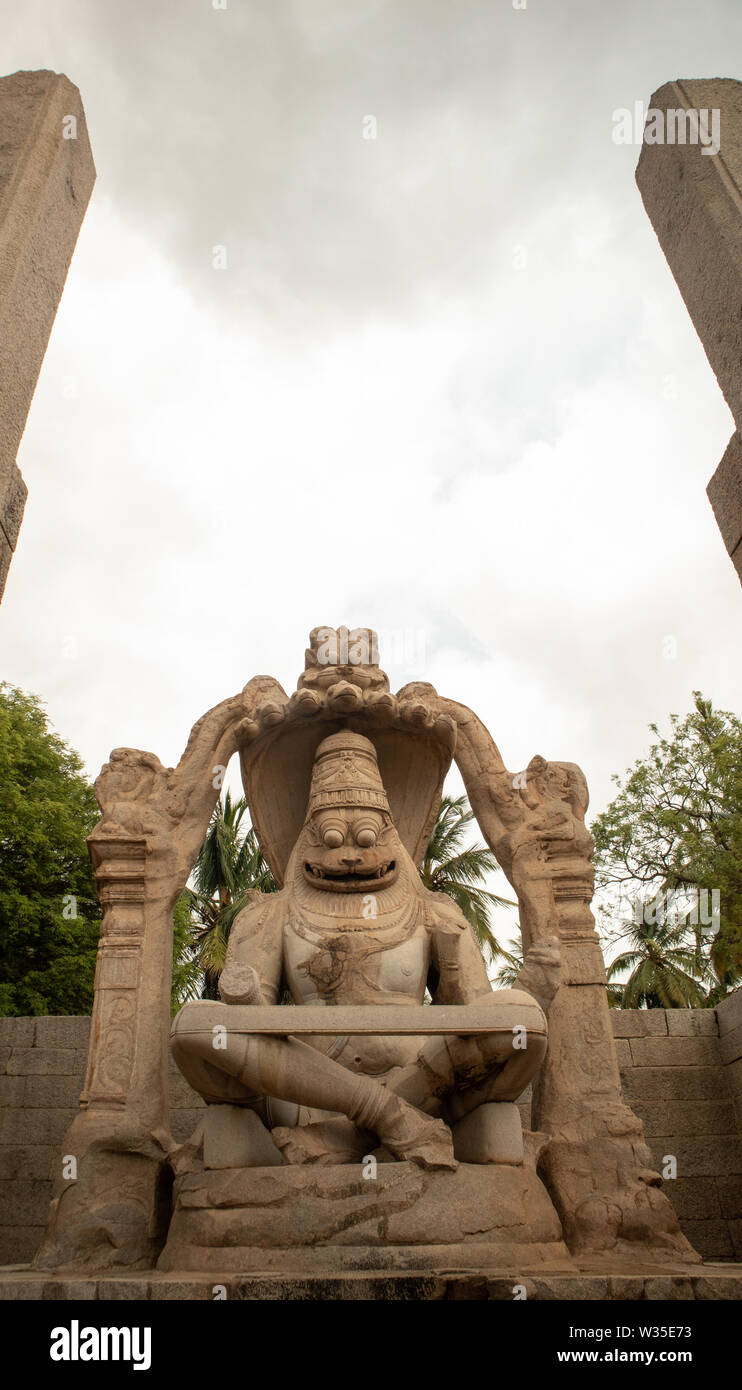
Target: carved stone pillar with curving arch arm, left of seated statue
110, 1202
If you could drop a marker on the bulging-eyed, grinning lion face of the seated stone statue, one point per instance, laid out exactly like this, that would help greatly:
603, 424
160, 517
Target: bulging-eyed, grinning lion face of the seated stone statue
351, 850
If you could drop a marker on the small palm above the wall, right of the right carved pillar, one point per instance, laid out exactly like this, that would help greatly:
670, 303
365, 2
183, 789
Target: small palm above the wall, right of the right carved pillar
666, 971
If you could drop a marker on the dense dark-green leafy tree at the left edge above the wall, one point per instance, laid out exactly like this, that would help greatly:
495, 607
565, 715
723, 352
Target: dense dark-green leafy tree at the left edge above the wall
49, 911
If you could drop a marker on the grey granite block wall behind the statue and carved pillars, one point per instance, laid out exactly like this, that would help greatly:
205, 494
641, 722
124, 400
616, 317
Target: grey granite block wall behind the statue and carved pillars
682, 1074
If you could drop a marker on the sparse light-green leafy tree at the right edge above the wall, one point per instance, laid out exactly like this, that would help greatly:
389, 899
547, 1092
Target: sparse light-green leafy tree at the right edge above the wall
676, 829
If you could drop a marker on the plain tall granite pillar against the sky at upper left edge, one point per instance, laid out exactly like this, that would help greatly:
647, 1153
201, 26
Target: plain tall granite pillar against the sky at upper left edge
47, 180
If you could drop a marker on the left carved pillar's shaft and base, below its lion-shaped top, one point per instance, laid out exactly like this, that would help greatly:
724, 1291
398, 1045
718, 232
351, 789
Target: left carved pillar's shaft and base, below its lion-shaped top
110, 1200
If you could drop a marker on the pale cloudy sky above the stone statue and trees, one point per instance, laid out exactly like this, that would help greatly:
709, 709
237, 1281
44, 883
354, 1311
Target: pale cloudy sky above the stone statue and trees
445, 386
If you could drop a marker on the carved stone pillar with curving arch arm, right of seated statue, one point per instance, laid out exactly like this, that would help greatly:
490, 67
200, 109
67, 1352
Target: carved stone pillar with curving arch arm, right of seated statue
597, 1166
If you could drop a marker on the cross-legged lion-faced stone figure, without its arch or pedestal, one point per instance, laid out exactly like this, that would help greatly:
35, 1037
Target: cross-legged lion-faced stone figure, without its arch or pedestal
355, 925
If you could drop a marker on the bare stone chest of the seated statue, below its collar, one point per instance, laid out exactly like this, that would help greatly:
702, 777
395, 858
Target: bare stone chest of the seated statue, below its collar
356, 964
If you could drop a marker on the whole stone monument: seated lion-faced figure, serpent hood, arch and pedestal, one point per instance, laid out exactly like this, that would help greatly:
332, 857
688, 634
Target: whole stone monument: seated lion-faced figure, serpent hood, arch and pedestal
358, 1127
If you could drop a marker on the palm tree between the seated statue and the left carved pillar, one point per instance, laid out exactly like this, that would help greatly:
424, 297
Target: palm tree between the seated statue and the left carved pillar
230, 867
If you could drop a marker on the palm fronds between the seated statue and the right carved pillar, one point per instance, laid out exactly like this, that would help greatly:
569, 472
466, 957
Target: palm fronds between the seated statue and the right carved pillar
458, 869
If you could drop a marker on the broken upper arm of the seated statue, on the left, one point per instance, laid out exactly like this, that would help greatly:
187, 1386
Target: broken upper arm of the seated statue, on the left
255, 954
